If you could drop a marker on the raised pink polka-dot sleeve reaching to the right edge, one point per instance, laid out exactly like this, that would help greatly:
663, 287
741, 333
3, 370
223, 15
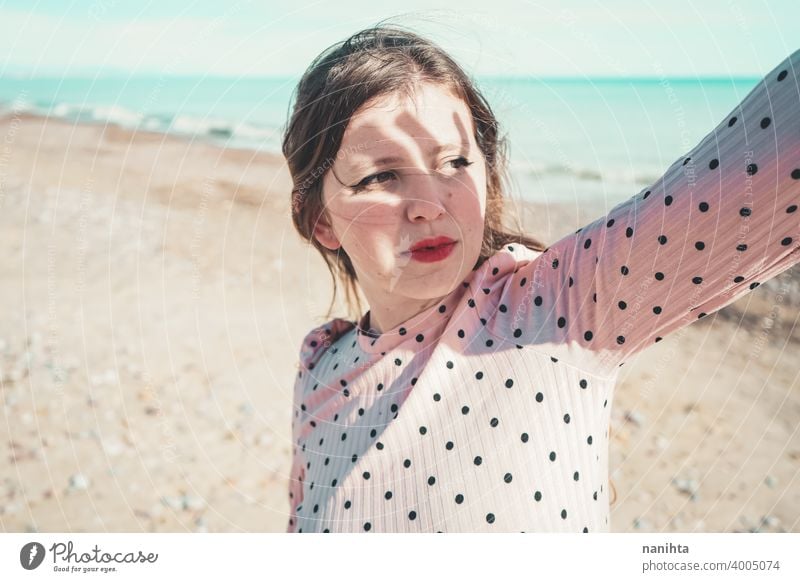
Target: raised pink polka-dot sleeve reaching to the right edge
722, 219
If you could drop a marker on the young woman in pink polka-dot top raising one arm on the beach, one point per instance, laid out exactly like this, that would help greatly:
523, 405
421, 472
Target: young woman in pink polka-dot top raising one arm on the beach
475, 394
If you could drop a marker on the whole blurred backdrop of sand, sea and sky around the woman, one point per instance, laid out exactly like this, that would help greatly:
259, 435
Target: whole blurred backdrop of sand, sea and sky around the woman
154, 294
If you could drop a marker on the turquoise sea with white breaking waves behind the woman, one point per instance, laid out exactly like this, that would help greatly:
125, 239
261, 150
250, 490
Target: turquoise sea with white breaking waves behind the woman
570, 140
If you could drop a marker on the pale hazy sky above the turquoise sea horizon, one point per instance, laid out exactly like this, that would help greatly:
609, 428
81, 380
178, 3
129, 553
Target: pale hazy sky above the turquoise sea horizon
572, 38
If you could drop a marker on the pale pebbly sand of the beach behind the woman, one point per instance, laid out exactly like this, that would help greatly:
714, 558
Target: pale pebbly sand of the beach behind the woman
155, 295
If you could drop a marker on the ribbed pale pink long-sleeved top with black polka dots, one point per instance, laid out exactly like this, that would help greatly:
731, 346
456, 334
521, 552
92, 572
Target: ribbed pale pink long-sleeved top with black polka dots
489, 412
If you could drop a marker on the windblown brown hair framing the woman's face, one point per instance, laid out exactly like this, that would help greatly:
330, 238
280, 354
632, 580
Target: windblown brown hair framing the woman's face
378, 61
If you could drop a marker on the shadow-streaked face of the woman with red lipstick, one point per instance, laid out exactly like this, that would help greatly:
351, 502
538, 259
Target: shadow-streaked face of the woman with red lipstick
410, 171
